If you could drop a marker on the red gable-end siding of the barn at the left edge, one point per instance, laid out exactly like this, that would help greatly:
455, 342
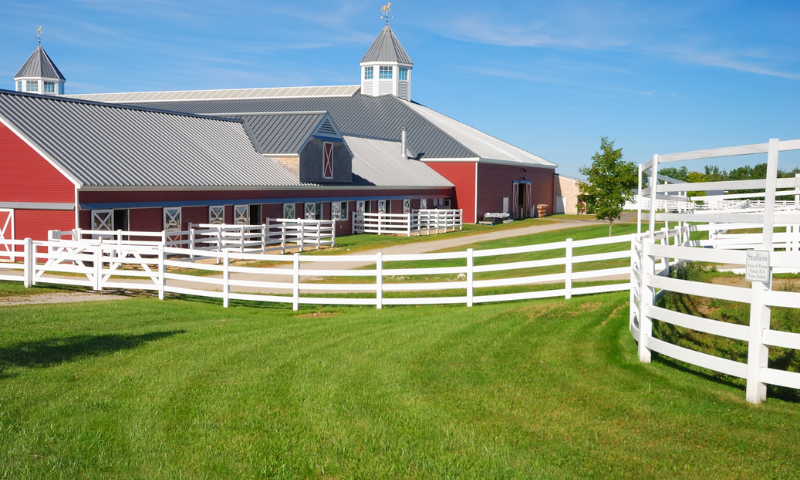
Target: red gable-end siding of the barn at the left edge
27, 177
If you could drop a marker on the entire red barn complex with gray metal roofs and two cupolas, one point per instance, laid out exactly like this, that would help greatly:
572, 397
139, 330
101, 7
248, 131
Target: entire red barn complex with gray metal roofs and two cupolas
152, 160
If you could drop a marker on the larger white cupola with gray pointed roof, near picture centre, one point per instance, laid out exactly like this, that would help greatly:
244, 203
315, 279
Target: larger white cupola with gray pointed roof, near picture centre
386, 68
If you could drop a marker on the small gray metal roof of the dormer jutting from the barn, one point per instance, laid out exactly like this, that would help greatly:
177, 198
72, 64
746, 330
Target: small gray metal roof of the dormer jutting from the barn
280, 132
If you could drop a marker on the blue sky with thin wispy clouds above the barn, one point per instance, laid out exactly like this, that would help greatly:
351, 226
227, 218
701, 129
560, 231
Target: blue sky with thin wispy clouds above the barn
550, 77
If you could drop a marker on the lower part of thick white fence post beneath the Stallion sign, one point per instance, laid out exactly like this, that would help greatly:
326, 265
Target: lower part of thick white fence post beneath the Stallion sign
757, 352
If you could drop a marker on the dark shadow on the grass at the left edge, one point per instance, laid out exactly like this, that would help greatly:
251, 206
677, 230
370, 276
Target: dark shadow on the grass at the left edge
53, 351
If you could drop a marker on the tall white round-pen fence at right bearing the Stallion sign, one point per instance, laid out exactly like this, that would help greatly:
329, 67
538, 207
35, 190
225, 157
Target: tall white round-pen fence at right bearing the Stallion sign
648, 285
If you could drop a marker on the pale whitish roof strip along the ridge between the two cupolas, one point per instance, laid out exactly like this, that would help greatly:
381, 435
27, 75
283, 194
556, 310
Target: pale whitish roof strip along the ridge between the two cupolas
234, 94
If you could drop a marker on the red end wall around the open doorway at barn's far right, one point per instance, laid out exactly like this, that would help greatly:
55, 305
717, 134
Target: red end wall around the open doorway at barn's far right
495, 182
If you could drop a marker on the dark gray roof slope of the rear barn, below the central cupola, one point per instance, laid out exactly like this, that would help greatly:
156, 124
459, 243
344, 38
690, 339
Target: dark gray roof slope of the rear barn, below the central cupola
360, 115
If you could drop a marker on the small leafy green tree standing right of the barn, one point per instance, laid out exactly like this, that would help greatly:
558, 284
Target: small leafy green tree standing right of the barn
610, 182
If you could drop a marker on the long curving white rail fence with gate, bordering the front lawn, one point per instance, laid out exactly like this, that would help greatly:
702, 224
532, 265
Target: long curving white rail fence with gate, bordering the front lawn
300, 279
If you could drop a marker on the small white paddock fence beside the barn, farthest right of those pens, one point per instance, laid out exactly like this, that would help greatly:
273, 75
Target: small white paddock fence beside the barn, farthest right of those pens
418, 221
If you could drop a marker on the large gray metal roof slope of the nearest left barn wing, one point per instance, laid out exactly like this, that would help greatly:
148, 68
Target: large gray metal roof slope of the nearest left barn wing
110, 145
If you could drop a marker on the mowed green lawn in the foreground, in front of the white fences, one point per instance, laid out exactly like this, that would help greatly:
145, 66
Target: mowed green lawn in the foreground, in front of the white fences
140, 388
